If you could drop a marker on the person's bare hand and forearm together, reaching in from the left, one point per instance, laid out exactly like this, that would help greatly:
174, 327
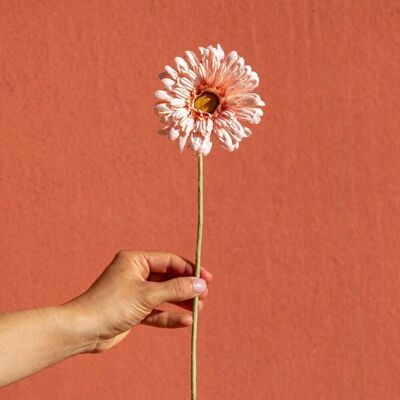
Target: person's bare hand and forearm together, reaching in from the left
128, 292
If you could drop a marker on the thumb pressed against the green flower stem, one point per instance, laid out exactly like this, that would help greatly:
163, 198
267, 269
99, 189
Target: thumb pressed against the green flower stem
178, 289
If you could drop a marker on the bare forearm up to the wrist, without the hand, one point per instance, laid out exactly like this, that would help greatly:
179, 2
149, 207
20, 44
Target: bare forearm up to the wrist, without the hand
31, 340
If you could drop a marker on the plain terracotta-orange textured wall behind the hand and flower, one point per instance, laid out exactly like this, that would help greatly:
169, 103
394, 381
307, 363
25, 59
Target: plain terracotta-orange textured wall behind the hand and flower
301, 224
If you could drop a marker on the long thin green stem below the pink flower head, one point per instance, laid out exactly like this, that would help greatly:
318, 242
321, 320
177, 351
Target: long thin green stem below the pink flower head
197, 273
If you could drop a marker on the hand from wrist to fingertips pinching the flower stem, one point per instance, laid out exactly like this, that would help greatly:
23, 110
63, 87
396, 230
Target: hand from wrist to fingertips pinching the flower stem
129, 291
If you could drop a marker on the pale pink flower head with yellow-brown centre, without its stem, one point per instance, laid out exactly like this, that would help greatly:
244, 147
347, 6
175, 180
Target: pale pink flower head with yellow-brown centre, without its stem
208, 96
